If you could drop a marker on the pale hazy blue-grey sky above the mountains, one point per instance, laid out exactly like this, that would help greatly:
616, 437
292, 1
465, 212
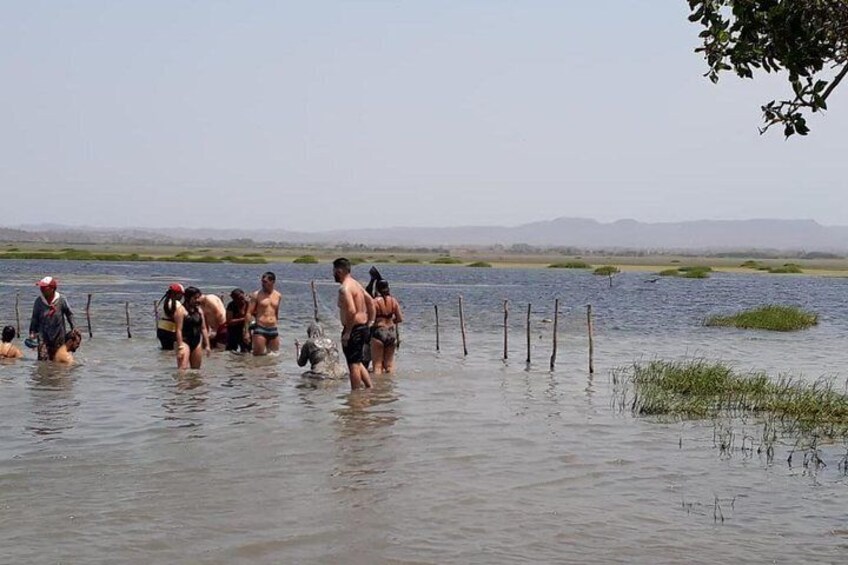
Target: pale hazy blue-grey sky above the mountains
317, 115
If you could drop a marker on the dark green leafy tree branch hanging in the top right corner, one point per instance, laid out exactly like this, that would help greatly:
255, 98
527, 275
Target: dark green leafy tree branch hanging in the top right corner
806, 38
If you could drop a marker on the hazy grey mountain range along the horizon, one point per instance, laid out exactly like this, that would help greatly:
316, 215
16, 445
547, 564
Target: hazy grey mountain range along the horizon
702, 235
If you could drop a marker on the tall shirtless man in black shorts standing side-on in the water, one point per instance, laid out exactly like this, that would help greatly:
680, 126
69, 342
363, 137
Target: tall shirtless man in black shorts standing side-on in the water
356, 311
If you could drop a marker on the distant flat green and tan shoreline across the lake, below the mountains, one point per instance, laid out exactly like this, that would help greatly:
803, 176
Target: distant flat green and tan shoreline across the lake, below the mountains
361, 254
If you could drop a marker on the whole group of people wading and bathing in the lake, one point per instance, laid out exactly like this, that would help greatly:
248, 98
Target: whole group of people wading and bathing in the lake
190, 323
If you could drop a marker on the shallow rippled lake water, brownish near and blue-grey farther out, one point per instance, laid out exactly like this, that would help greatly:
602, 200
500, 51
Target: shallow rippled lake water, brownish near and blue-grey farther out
470, 460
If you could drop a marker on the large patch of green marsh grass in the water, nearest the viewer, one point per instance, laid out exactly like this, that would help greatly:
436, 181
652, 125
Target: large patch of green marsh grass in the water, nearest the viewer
701, 389
